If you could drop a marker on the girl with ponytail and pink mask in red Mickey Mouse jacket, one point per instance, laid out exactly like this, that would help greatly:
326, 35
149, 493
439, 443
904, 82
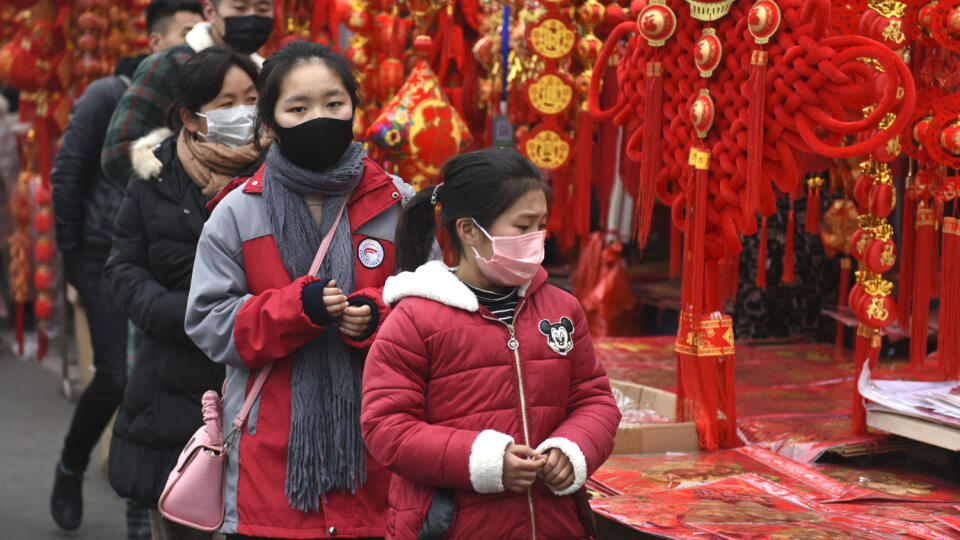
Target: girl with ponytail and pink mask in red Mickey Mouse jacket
482, 391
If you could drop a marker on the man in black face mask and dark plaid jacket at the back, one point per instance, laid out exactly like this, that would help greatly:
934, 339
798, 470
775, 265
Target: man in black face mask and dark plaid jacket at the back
243, 25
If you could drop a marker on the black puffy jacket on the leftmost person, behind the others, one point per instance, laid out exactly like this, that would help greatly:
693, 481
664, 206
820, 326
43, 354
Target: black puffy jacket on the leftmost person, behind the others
85, 200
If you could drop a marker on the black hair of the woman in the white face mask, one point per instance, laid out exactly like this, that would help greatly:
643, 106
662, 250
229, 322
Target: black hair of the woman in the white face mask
200, 80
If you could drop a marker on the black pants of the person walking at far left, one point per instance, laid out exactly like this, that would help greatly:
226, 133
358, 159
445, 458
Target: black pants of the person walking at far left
108, 335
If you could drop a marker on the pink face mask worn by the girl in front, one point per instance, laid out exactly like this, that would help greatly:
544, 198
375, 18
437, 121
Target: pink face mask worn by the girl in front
515, 260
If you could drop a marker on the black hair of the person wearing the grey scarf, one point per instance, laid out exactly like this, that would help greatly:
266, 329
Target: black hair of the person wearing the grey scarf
276, 68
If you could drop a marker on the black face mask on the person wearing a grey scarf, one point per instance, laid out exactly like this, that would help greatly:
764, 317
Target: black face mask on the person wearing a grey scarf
316, 144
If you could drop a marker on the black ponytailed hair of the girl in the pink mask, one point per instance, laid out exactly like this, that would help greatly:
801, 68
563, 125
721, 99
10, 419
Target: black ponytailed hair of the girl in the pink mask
479, 185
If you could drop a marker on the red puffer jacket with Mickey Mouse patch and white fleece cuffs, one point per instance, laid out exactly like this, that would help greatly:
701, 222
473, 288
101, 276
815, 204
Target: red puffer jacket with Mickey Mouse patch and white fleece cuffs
447, 387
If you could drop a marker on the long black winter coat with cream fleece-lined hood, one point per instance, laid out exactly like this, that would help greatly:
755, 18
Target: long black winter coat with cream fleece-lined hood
150, 269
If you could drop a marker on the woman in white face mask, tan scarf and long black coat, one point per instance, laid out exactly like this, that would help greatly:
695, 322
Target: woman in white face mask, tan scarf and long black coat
151, 263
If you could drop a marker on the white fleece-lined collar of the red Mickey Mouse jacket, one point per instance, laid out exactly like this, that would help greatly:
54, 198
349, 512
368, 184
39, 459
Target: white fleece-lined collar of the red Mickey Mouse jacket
436, 281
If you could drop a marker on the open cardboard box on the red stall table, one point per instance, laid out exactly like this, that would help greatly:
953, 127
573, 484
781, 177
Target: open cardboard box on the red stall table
654, 438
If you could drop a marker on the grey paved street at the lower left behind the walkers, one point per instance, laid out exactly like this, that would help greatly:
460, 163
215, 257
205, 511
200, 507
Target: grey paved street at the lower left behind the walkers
33, 420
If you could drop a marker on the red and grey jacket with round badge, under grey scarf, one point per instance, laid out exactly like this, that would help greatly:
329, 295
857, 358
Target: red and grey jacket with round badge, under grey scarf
245, 311
